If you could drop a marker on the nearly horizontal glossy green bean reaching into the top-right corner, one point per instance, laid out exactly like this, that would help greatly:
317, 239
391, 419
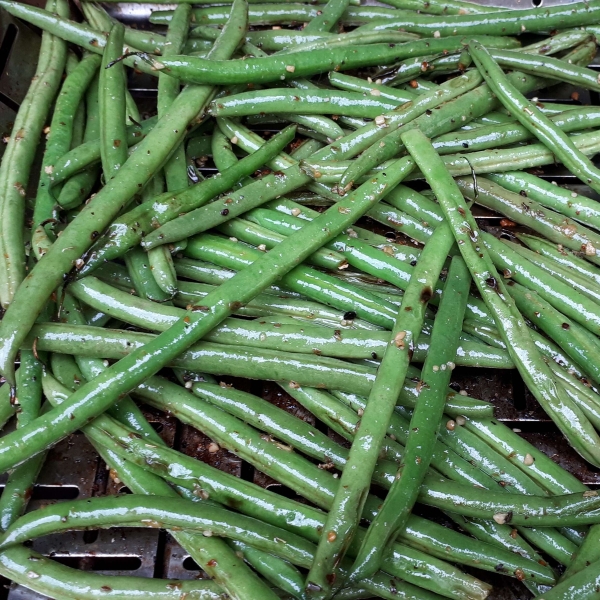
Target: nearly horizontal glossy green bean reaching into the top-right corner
506, 22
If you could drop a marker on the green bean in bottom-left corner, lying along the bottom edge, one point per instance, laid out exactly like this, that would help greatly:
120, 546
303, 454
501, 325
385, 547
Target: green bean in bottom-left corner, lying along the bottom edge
45, 576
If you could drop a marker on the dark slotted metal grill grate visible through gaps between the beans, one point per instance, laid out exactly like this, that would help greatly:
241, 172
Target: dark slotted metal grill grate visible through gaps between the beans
73, 469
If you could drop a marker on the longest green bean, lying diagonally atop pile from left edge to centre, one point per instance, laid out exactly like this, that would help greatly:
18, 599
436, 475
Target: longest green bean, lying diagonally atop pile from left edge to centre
15, 447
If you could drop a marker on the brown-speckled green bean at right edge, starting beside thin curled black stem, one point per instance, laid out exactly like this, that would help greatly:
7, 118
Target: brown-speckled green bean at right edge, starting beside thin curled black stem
525, 211
